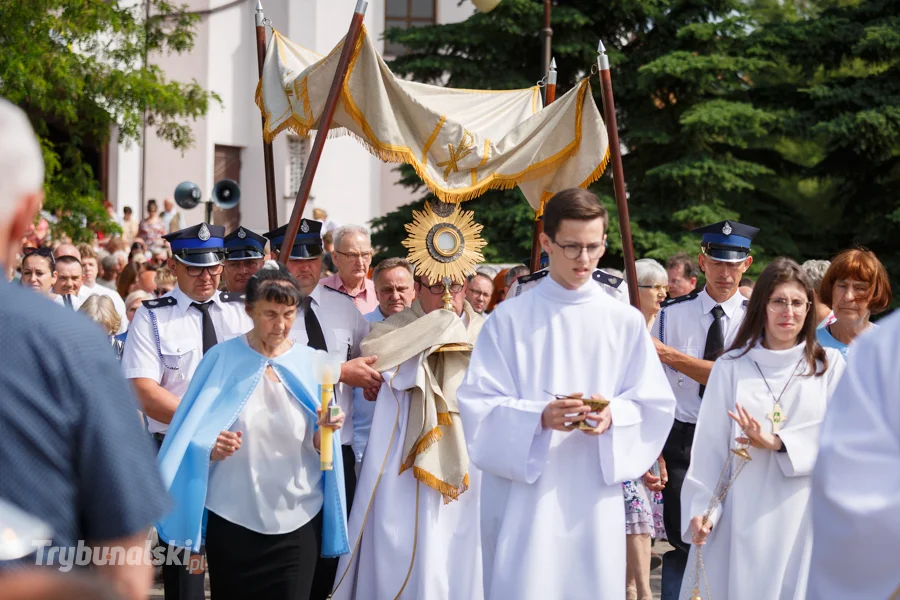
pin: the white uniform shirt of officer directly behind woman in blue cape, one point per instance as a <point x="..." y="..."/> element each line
<point x="344" y="328"/>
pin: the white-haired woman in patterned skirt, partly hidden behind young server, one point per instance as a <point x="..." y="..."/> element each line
<point x="643" y="499"/>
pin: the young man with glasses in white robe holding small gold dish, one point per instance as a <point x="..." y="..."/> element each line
<point x="563" y="400"/>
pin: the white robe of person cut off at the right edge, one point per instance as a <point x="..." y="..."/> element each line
<point x="856" y="481"/>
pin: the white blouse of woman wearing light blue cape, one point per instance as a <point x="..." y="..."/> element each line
<point x="272" y="484"/>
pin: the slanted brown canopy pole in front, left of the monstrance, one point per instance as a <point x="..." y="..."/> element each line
<point x="334" y="93"/>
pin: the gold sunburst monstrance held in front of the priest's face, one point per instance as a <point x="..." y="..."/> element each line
<point x="444" y="245"/>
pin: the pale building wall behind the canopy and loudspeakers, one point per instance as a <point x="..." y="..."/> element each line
<point x="350" y="184"/>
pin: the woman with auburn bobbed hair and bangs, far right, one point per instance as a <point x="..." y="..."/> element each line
<point x="856" y="286"/>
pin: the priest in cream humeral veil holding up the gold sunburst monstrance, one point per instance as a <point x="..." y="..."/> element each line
<point x="414" y="527"/>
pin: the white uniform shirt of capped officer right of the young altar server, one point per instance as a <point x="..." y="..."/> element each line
<point x="683" y="325"/>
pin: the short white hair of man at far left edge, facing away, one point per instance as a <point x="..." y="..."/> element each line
<point x="21" y="161"/>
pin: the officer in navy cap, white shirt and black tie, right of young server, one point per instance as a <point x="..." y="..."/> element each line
<point x="690" y="333"/>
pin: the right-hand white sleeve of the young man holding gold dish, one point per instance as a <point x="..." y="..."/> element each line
<point x="643" y="410"/>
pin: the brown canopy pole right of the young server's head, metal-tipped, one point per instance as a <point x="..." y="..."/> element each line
<point x="609" y="111"/>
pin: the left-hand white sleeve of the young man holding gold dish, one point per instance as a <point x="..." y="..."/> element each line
<point x="503" y="433"/>
